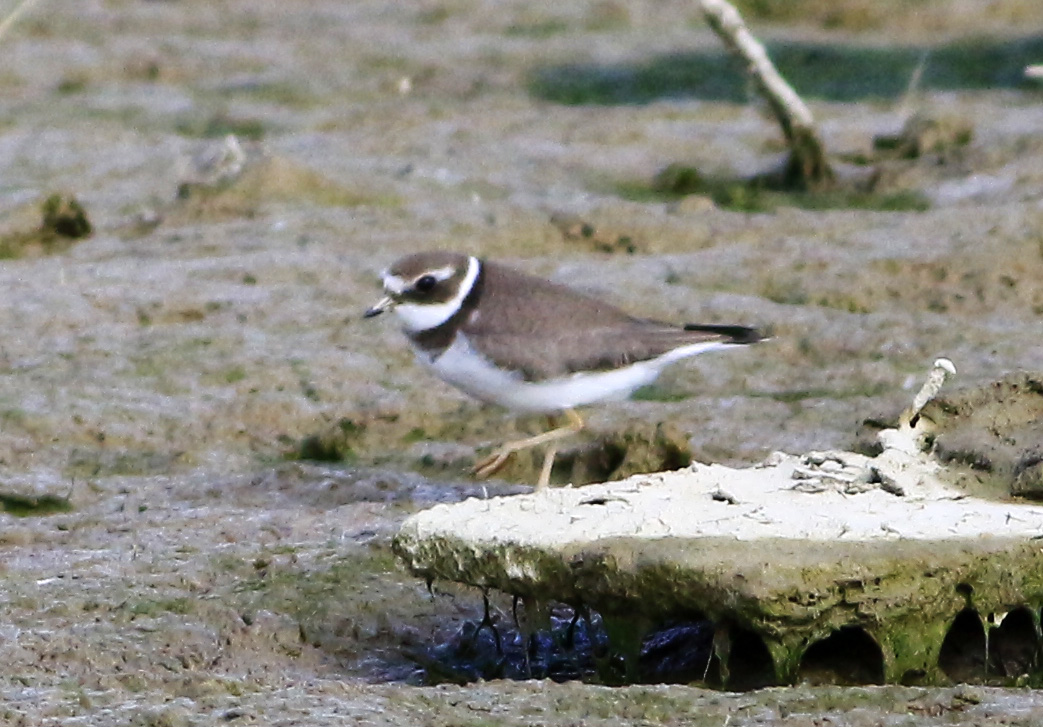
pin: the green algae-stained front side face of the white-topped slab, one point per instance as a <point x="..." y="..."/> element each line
<point x="905" y="595"/>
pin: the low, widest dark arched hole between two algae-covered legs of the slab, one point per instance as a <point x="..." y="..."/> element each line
<point x="848" y="657"/>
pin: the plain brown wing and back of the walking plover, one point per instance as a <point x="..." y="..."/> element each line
<point x="543" y="330"/>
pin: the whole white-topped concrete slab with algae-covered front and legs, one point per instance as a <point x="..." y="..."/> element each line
<point x="797" y="552"/>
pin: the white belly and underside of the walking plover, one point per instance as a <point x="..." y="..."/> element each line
<point x="473" y="374"/>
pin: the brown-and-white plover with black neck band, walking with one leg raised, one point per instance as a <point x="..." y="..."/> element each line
<point x="532" y="346"/>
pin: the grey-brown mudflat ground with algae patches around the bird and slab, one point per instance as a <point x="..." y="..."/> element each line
<point x="164" y="559"/>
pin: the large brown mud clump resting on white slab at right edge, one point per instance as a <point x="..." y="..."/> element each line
<point x="991" y="438"/>
